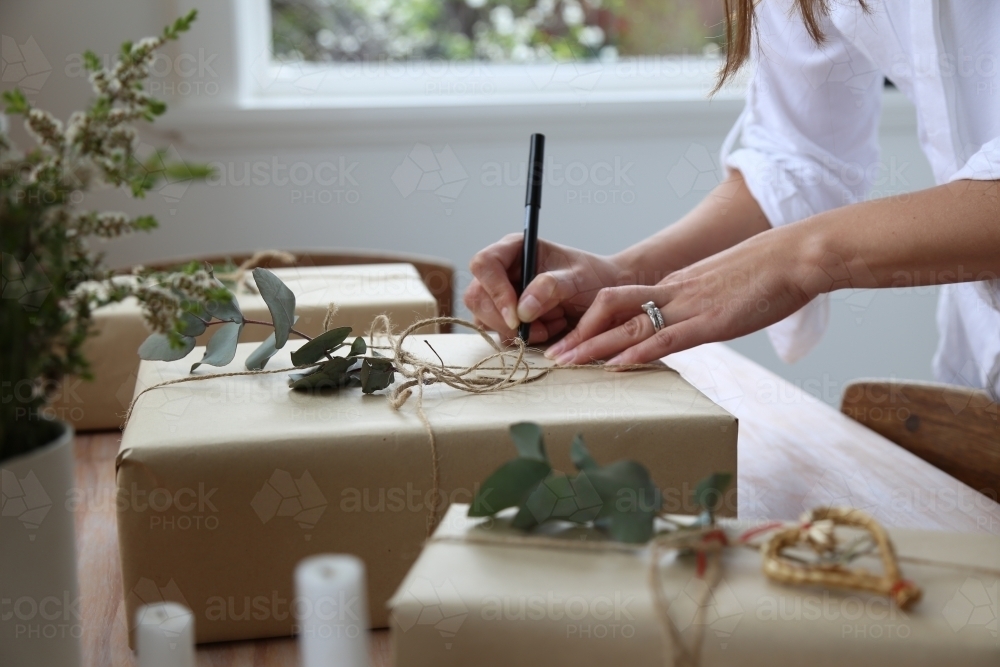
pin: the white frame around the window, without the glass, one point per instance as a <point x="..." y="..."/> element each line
<point x="267" y="84"/>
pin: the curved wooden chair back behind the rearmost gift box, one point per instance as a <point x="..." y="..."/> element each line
<point x="437" y="274"/>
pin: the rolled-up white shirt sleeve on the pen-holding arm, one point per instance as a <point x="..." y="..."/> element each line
<point x="807" y="140"/>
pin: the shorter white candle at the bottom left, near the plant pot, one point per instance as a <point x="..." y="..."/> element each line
<point x="165" y="635"/>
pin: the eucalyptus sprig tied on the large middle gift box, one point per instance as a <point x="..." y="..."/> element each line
<point x="322" y="370"/>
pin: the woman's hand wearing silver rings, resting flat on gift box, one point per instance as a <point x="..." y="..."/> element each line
<point x="735" y="292"/>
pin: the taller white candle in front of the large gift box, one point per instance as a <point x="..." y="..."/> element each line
<point x="332" y="611"/>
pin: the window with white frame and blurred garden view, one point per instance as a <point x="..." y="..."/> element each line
<point x="482" y="53"/>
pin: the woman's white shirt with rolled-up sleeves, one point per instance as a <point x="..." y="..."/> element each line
<point x="809" y="137"/>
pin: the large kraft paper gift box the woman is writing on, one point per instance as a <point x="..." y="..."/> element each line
<point x="225" y="484"/>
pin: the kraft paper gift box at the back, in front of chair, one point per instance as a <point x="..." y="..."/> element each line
<point x="361" y="292"/>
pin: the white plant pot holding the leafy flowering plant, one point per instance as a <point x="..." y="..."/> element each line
<point x="40" y="623"/>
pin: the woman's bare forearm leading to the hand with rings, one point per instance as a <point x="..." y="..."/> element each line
<point x="945" y="234"/>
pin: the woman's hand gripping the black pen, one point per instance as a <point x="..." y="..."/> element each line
<point x="567" y="282"/>
